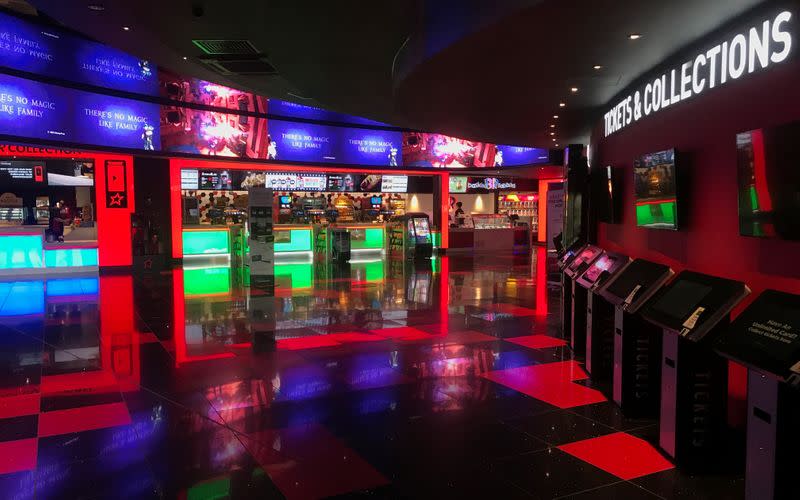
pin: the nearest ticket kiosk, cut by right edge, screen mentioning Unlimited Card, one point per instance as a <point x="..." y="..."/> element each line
<point x="766" y="339"/>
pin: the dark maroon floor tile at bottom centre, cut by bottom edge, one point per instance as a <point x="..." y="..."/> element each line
<point x="308" y="462"/>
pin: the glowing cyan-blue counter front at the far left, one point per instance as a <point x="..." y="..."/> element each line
<point x="23" y="250"/>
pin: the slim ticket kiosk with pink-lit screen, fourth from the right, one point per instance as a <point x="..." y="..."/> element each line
<point x="600" y="314"/>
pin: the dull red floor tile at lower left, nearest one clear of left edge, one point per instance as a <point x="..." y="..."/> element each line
<point x="82" y="419"/>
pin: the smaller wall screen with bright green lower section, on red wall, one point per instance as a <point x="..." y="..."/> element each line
<point x="655" y="184"/>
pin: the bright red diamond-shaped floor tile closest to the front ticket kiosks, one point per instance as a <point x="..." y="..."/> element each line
<point x="621" y="454"/>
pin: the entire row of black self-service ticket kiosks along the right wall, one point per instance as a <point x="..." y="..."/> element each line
<point x="663" y="341"/>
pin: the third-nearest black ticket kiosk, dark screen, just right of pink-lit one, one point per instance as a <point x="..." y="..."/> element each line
<point x="637" y="344"/>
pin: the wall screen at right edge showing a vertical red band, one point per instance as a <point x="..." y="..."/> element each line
<point x="769" y="182"/>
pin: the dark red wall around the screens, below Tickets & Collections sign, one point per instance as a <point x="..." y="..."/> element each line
<point x="705" y="128"/>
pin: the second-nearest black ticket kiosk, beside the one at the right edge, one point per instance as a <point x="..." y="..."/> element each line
<point x="693" y="310"/>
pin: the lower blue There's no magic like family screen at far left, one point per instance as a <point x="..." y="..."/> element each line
<point x="43" y="111"/>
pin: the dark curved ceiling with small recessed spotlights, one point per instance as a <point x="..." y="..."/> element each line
<point x="493" y="71"/>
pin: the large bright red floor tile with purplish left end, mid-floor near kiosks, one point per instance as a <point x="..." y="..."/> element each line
<point x="551" y="383"/>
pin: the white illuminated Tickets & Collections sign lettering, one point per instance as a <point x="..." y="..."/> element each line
<point x="766" y="43"/>
